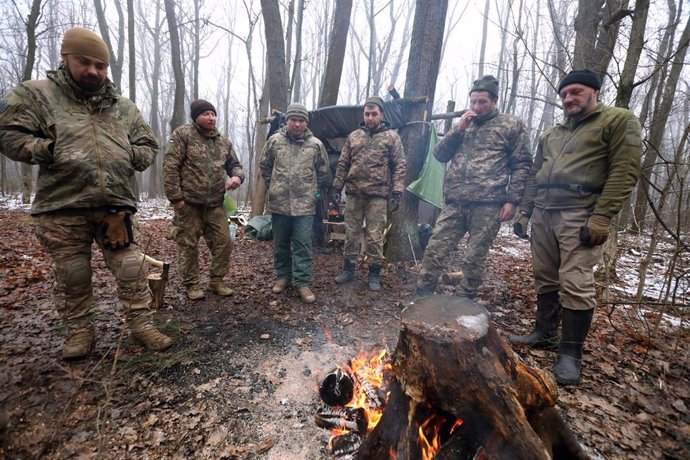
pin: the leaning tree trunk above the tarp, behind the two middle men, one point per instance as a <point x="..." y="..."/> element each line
<point x="330" y="84"/>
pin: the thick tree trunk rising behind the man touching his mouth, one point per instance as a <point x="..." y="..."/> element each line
<point x="422" y="72"/>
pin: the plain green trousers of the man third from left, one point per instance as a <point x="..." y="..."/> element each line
<point x="292" y="250"/>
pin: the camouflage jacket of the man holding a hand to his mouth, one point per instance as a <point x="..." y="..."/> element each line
<point x="490" y="161"/>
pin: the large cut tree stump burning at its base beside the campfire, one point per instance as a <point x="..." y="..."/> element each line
<point x="451" y="364"/>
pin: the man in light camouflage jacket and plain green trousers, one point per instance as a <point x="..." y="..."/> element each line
<point x="294" y="164"/>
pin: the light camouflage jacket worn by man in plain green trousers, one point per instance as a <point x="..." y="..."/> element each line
<point x="293" y="169"/>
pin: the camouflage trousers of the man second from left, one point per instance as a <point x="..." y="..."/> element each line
<point x="191" y="223"/>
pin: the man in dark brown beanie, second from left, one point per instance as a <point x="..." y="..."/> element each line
<point x="197" y="161"/>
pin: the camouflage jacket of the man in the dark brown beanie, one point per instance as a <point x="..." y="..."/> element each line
<point x="196" y="164"/>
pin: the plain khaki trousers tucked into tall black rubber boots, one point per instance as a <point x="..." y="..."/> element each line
<point x="560" y="261"/>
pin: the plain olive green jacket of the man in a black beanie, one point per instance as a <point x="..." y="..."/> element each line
<point x="593" y="163"/>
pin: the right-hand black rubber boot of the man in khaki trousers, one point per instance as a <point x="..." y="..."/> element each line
<point x="567" y="369"/>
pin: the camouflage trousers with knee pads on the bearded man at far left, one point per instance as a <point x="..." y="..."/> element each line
<point x="67" y="237"/>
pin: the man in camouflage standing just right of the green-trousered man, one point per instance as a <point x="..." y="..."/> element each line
<point x="371" y="167"/>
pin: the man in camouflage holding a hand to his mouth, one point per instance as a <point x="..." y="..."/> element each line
<point x="490" y="161"/>
